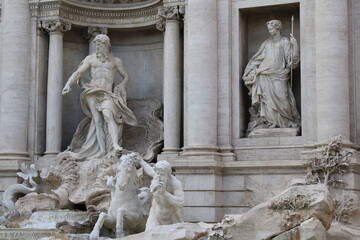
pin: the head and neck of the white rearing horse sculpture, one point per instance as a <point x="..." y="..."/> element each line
<point x="126" y="173"/>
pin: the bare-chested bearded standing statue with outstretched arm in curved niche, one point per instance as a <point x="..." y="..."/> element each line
<point x="99" y="133"/>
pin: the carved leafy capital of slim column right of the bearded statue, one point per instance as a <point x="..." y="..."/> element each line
<point x="169" y="13"/>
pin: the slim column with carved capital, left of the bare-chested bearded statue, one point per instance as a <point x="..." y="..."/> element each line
<point x="56" y="29"/>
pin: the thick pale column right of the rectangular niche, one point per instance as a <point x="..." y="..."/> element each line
<point x="332" y="69"/>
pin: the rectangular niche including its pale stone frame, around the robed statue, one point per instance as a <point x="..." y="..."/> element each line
<point x="249" y="32"/>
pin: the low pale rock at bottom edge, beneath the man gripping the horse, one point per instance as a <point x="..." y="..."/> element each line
<point x="179" y="231"/>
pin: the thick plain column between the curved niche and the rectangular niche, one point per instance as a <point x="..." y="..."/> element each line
<point x="201" y="119"/>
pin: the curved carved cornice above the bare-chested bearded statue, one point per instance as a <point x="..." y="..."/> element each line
<point x="83" y="14"/>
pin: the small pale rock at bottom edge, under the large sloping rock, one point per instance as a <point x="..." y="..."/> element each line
<point x="311" y="229"/>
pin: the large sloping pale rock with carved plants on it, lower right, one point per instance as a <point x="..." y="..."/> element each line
<point x="283" y="212"/>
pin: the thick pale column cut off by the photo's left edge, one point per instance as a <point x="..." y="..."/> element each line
<point x="14" y="84"/>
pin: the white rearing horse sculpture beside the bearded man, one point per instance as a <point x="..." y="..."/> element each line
<point x="127" y="212"/>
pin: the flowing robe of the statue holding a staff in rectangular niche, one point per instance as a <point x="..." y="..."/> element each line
<point x="270" y="90"/>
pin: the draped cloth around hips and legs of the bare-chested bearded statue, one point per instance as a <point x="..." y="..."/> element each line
<point x="85" y="143"/>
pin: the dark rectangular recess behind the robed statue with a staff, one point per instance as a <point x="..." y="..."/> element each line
<point x="252" y="33"/>
